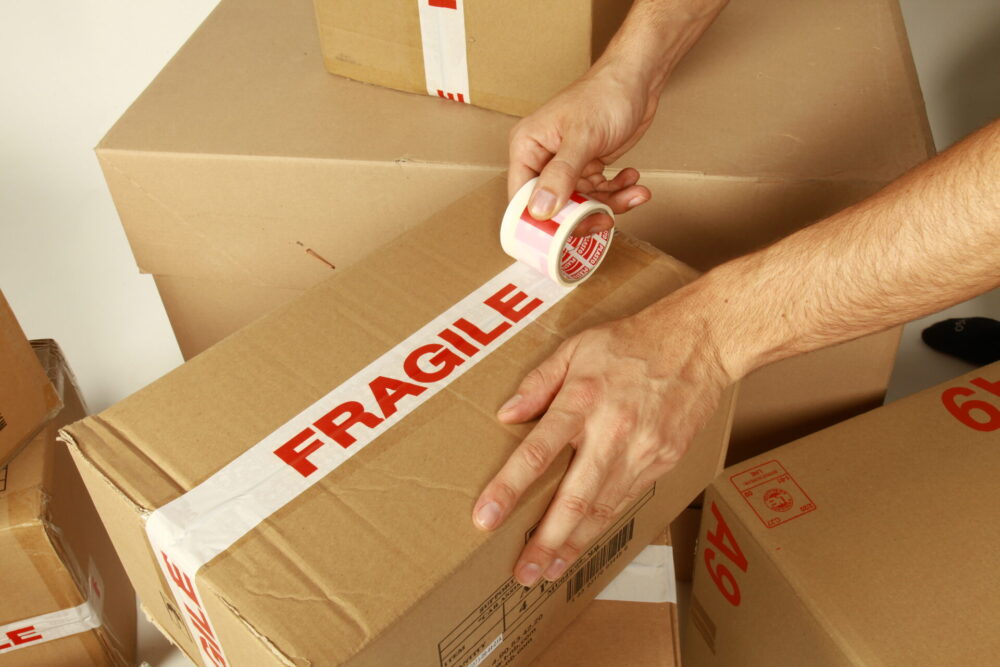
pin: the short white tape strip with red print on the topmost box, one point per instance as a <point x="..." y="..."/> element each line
<point x="442" y="36"/>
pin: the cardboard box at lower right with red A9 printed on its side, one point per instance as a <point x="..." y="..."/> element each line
<point x="870" y="543"/>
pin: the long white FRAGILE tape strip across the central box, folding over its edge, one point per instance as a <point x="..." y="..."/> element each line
<point x="191" y="530"/>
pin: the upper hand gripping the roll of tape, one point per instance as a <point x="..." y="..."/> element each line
<point x="569" y="140"/>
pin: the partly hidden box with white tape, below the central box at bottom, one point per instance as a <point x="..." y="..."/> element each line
<point x="637" y="628"/>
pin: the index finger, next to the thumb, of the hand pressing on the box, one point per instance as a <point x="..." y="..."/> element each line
<point x="526" y="464"/>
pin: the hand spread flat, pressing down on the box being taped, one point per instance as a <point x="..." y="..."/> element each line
<point x="628" y="396"/>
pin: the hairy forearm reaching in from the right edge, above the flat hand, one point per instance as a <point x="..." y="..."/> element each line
<point x="927" y="241"/>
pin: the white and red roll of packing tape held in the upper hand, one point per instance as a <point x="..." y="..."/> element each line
<point x="547" y="245"/>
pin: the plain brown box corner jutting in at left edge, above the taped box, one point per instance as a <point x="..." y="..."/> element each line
<point x="27" y="398"/>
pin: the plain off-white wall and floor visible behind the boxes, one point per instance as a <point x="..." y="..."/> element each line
<point x="69" y="69"/>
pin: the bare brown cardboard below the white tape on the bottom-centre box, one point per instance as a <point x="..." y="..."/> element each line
<point x="611" y="633"/>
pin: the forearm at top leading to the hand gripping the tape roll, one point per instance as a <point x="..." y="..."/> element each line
<point x="655" y="36"/>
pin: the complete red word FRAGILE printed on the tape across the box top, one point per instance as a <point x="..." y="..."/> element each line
<point x="425" y="365"/>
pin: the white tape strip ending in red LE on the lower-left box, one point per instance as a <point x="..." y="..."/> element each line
<point x="57" y="624"/>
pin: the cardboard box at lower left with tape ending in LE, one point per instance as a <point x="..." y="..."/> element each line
<point x="66" y="599"/>
